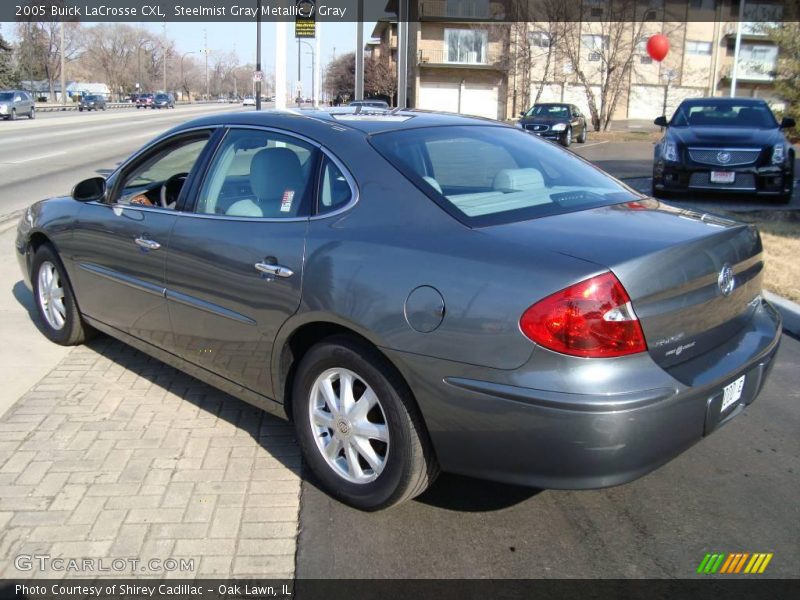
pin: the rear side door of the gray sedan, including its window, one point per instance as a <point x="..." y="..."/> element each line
<point x="235" y="264"/>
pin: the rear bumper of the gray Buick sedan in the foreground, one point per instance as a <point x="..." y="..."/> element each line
<point x="499" y="430"/>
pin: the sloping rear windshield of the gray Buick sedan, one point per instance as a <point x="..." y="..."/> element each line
<point x="485" y="175"/>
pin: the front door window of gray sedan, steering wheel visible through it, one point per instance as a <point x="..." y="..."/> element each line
<point x="157" y="178"/>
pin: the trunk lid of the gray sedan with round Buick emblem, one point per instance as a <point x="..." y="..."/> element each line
<point x="673" y="263"/>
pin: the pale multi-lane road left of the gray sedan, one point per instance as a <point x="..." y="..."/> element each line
<point x="47" y="156"/>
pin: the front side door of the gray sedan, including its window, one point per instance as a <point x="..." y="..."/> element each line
<point x="119" y="244"/>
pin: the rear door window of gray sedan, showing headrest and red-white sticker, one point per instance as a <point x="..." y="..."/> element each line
<point x="259" y="174"/>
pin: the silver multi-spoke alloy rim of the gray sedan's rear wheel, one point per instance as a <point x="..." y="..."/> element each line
<point x="349" y="425"/>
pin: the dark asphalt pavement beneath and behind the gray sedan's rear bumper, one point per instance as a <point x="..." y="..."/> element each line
<point x="737" y="490"/>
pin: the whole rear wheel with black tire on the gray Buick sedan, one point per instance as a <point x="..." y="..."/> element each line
<point x="401" y="467"/>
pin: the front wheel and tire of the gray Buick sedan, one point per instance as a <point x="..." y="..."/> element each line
<point x="61" y="324"/>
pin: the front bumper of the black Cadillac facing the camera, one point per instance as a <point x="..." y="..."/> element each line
<point x="769" y="180"/>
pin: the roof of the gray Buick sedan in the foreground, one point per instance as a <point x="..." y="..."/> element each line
<point x="365" y="121"/>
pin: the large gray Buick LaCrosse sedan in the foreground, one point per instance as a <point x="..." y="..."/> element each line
<point x="417" y="292"/>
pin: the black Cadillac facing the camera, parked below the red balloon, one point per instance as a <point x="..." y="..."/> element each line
<point x="731" y="145"/>
